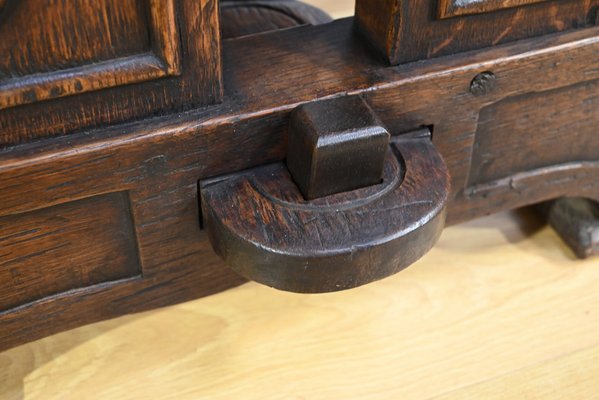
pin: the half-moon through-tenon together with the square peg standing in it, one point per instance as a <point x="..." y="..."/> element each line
<point x="351" y="205"/>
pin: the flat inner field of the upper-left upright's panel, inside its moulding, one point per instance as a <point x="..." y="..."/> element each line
<point x="41" y="36"/>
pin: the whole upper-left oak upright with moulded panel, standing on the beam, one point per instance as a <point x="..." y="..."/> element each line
<point x="133" y="50"/>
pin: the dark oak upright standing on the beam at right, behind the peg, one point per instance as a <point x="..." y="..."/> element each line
<point x="410" y="30"/>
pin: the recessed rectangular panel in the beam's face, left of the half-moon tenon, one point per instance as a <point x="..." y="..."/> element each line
<point x="64" y="247"/>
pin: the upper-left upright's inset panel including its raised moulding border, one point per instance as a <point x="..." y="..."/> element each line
<point x="91" y="46"/>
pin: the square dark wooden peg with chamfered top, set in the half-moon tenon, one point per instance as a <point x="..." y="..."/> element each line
<point x="335" y="146"/>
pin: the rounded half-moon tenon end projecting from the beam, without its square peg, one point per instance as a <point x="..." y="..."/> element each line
<point x="259" y="222"/>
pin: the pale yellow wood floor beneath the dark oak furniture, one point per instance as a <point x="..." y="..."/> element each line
<point x="499" y="309"/>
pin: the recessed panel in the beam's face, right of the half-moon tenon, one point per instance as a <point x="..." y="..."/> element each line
<point x="526" y="133"/>
